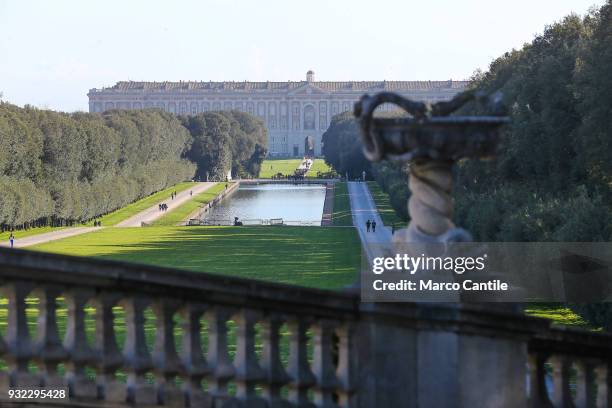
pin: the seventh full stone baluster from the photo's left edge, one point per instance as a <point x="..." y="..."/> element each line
<point x="193" y="359"/>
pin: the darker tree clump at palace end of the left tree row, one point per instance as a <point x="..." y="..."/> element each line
<point x="224" y="141"/>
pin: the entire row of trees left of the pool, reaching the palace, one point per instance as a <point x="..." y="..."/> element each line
<point x="62" y="169"/>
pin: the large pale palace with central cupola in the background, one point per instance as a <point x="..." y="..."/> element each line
<point x="296" y="113"/>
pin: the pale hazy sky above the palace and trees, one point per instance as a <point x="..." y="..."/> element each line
<point x="53" y="52"/>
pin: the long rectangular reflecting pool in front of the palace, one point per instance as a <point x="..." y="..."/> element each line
<point x="257" y="204"/>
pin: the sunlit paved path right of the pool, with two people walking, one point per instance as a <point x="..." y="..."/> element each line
<point x="363" y="209"/>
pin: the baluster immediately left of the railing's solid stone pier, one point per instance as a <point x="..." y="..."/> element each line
<point x="347" y="369"/>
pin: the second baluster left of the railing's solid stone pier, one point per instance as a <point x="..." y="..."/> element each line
<point x="323" y="364"/>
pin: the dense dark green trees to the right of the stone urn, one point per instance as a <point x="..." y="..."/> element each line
<point x="552" y="179"/>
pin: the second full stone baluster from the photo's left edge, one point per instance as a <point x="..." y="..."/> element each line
<point x="48" y="348"/>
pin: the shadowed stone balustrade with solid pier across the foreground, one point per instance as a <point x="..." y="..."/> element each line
<point x="290" y="346"/>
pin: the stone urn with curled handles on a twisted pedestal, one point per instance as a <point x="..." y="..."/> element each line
<point x="431" y="140"/>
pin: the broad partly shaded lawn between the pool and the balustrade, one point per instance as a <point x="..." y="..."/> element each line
<point x="309" y="256"/>
